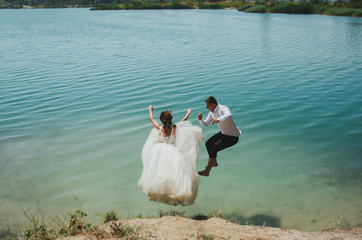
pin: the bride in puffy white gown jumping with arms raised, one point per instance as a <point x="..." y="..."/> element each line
<point x="169" y="159"/>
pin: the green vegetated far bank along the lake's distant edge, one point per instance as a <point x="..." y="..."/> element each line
<point x="339" y="8"/>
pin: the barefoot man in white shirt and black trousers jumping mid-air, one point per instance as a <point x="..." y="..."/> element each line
<point x="227" y="137"/>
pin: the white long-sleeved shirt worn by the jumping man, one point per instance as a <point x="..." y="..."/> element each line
<point x="226" y="122"/>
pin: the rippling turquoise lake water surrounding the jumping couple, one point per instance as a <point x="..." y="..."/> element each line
<point x="75" y="86"/>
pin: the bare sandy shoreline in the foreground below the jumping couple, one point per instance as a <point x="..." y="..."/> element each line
<point x="177" y="227"/>
